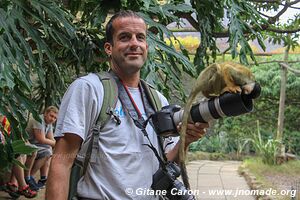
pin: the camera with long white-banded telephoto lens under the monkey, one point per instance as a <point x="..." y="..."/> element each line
<point x="227" y="104"/>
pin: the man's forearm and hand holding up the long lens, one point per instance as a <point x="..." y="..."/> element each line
<point x="194" y="132"/>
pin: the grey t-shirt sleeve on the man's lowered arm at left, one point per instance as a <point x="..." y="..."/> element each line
<point x="80" y="107"/>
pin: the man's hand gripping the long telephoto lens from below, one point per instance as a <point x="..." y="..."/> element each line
<point x="194" y="132"/>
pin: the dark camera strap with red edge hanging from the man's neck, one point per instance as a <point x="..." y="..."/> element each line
<point x="133" y="111"/>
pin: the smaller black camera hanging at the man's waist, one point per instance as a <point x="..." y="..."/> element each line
<point x="165" y="179"/>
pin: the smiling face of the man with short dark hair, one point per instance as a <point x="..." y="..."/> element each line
<point x="129" y="49"/>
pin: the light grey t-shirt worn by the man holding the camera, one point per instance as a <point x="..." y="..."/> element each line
<point x="123" y="160"/>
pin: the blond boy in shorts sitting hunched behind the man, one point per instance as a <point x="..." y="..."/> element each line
<point x="40" y="135"/>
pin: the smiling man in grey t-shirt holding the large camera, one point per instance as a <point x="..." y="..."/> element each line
<point x="123" y="160"/>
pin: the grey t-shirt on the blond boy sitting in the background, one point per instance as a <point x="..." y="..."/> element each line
<point x="34" y="124"/>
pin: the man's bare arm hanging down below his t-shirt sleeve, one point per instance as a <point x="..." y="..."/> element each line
<point x="66" y="149"/>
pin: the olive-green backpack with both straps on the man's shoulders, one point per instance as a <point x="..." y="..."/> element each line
<point x="109" y="102"/>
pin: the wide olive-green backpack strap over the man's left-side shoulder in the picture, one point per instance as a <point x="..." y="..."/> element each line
<point x="110" y="98"/>
